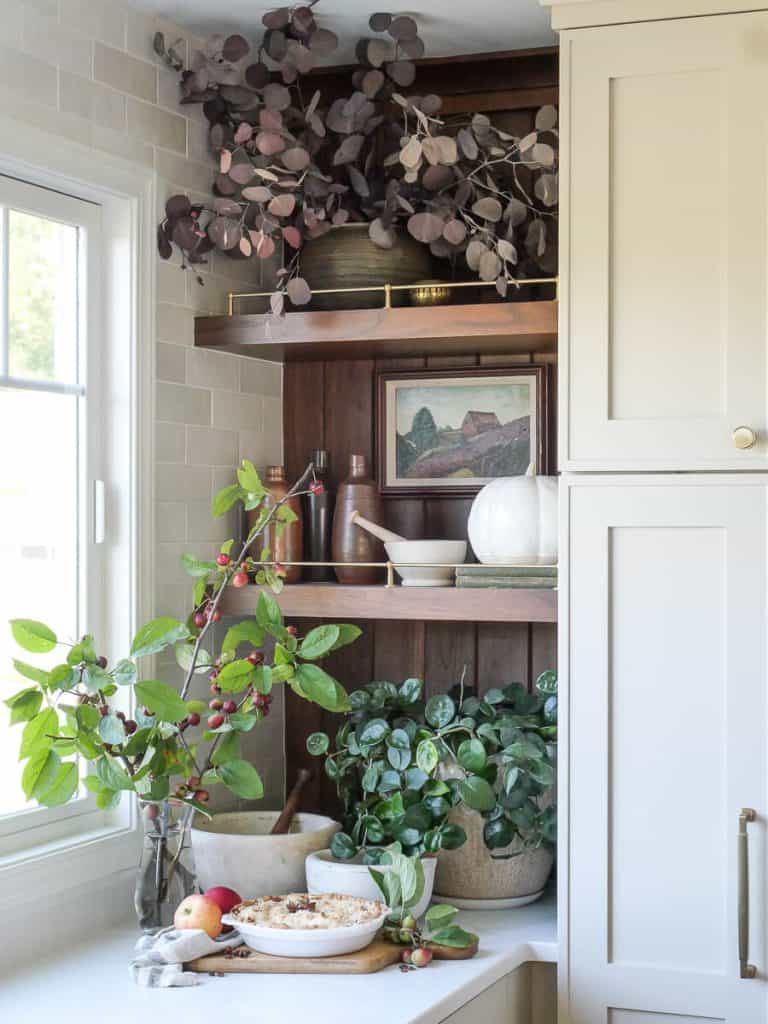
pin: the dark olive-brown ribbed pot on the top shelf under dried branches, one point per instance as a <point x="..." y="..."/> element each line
<point x="346" y="258"/>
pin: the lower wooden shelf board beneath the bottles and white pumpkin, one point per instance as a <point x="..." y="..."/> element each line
<point x="330" y="601"/>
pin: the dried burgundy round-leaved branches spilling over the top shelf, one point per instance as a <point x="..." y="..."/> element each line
<point x="294" y="165"/>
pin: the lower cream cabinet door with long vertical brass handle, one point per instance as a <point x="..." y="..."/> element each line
<point x="665" y="642"/>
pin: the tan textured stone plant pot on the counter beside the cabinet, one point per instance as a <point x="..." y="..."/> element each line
<point x="472" y="874"/>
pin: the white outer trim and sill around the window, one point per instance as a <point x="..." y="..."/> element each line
<point x="46" y="852"/>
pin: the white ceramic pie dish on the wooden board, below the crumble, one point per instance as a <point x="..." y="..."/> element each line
<point x="308" y="942"/>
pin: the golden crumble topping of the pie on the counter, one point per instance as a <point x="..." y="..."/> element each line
<point x="298" y="911"/>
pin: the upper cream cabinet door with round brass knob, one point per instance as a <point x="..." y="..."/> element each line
<point x="665" y="224"/>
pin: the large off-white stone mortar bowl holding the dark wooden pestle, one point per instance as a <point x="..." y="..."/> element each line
<point x="236" y="849"/>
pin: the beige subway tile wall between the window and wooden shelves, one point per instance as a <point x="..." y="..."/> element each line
<point x="87" y="70"/>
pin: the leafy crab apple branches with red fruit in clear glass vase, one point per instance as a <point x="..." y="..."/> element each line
<point x="165" y="747"/>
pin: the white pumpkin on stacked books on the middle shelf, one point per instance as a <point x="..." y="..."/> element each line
<point x="514" y="521"/>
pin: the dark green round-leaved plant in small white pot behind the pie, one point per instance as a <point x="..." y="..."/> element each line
<point x="390" y="791"/>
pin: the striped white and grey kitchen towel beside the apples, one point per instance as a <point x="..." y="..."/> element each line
<point x="159" y="960"/>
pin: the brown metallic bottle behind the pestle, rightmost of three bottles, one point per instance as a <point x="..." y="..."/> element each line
<point x="351" y="544"/>
